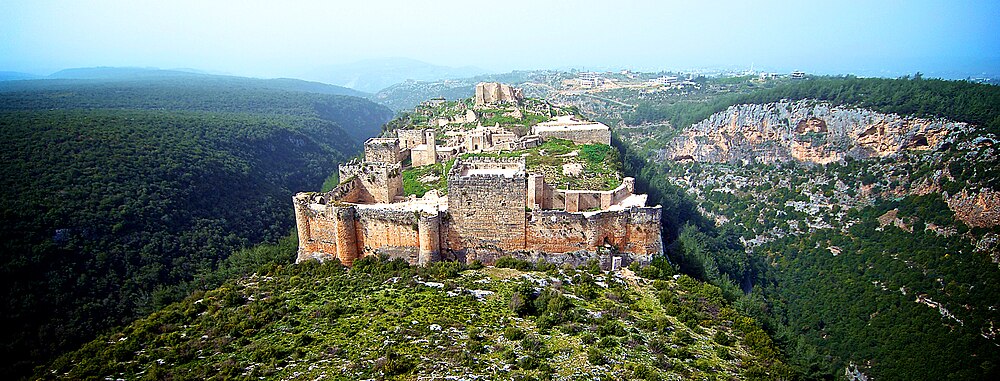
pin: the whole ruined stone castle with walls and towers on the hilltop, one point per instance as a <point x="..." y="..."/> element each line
<point x="493" y="208"/>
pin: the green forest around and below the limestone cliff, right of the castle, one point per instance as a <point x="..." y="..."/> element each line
<point x="876" y="303"/>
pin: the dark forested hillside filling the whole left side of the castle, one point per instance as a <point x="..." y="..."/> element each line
<point x="121" y="196"/>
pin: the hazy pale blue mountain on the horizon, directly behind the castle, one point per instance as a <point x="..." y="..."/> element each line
<point x="374" y="75"/>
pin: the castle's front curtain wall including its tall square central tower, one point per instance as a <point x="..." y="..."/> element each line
<point x="486" y="215"/>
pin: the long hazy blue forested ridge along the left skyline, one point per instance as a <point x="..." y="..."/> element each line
<point x="199" y="92"/>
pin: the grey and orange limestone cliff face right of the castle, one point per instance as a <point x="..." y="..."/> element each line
<point x="806" y="131"/>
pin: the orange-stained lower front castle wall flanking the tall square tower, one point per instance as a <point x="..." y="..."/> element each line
<point x="349" y="232"/>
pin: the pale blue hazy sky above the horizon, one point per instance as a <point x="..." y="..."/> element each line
<point x="287" y="38"/>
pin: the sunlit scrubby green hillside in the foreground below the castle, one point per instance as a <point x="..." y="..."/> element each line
<point x="386" y="320"/>
